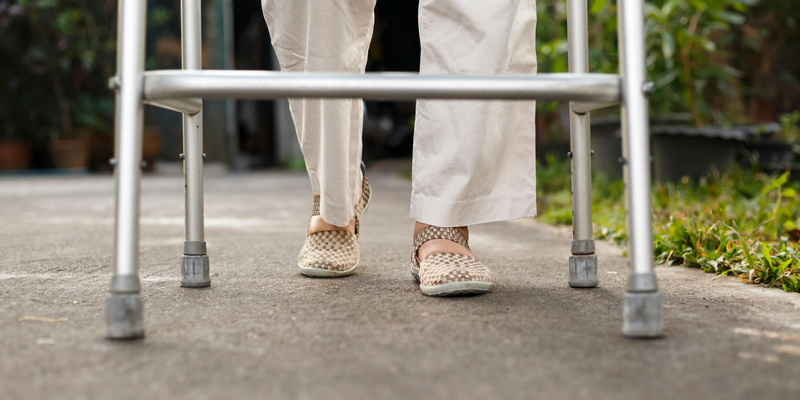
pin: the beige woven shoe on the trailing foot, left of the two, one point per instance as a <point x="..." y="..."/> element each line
<point x="333" y="254"/>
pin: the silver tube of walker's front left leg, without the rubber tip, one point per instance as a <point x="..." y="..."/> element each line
<point x="129" y="124"/>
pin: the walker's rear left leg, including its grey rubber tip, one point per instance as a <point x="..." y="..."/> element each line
<point x="194" y="263"/>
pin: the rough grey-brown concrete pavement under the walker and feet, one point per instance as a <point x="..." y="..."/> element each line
<point x="264" y="331"/>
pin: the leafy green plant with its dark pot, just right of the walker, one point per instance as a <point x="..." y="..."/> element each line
<point x="693" y="72"/>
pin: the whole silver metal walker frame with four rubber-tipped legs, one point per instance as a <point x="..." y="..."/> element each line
<point x="183" y="91"/>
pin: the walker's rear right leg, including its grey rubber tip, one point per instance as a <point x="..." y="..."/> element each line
<point x="583" y="260"/>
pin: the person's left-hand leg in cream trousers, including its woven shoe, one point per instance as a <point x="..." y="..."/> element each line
<point x="327" y="36"/>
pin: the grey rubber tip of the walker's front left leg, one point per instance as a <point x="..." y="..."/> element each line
<point x="124" y="316"/>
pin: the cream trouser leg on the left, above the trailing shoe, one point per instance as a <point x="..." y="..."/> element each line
<point x="326" y="36"/>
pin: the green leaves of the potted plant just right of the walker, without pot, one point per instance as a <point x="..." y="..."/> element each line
<point x="686" y="57"/>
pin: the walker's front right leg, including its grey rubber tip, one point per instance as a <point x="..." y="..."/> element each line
<point x="642" y="308"/>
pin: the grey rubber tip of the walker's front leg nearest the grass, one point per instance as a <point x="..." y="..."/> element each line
<point x="642" y="315"/>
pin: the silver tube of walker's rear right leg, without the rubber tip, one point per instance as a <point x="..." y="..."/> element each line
<point x="580" y="138"/>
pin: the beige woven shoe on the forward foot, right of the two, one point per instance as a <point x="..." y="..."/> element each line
<point x="447" y="274"/>
